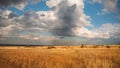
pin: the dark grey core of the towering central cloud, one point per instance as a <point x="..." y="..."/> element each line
<point x="68" y="18"/>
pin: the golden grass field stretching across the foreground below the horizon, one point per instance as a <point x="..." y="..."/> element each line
<point x="60" y="57"/>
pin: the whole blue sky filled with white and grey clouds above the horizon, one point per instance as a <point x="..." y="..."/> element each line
<point x="59" y="22"/>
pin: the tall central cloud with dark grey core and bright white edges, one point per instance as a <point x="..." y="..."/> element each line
<point x="70" y="15"/>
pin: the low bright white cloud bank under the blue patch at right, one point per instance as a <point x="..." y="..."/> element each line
<point x="106" y="31"/>
